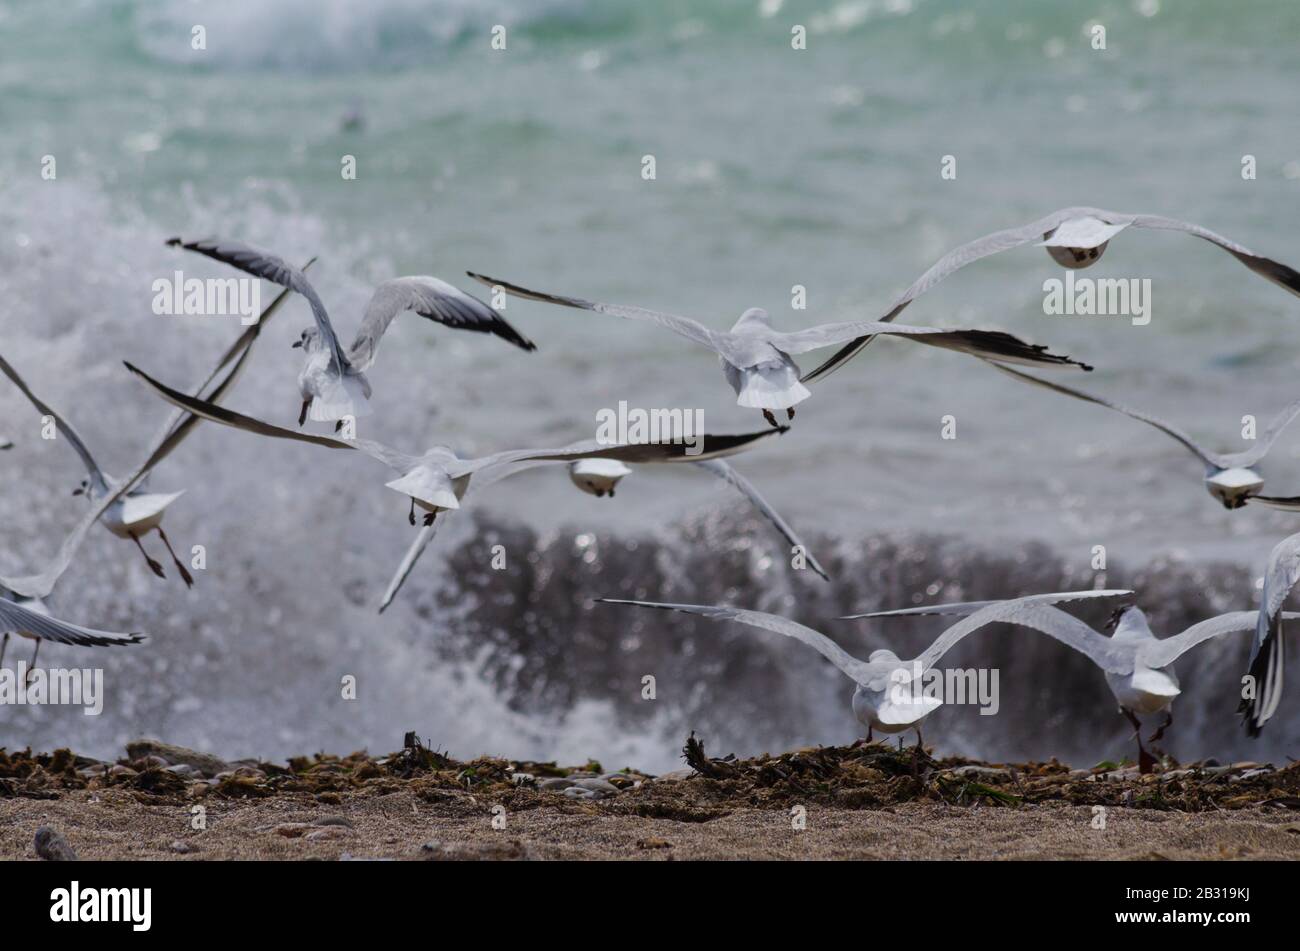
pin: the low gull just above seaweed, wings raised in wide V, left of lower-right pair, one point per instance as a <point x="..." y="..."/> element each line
<point x="882" y="701"/>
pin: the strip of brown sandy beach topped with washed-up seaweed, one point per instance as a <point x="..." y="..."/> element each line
<point x="870" y="802"/>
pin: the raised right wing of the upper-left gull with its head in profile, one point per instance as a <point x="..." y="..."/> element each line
<point x="431" y="298"/>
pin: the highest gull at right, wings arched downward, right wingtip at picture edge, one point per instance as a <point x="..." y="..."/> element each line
<point x="1074" y="238"/>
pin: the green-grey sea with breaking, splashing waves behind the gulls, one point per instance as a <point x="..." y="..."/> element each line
<point x="774" y="168"/>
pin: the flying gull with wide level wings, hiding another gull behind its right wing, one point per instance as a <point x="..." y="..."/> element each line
<point x="437" y="480"/>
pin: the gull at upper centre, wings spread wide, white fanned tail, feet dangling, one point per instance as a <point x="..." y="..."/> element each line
<point x="757" y="359"/>
